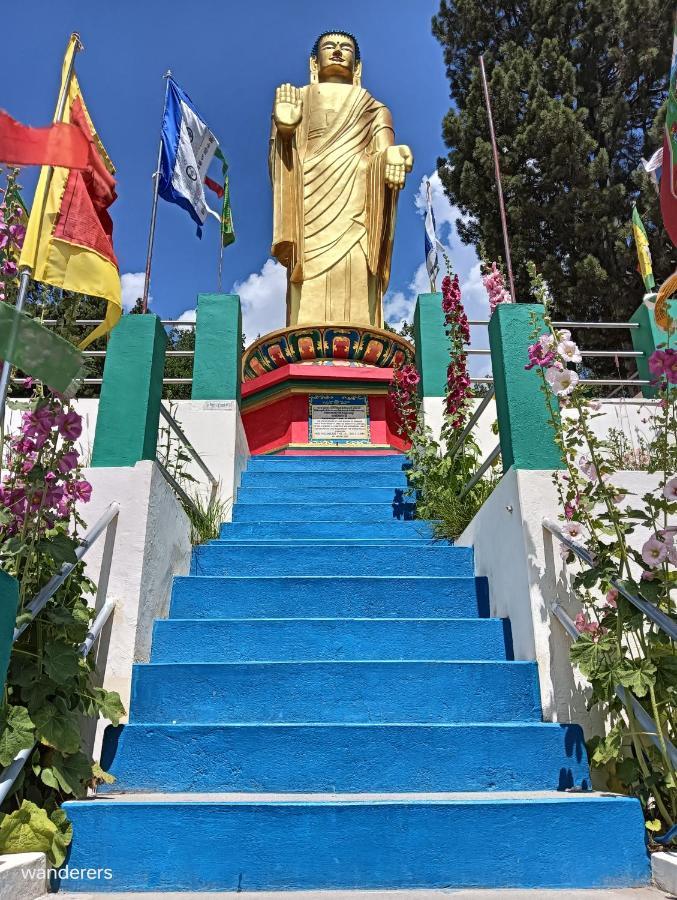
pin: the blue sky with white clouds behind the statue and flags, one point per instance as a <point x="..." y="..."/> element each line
<point x="229" y="57"/>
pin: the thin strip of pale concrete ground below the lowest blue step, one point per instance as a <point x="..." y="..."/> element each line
<point x="611" y="894"/>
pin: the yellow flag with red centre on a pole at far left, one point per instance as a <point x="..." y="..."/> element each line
<point x="69" y="239"/>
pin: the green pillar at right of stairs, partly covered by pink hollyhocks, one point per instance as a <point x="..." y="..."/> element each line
<point x="527" y="438"/>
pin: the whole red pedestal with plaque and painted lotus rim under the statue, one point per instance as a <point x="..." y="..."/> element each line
<point x="322" y="389"/>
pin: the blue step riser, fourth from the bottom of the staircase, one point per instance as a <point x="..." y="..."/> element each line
<point x="237" y="640"/>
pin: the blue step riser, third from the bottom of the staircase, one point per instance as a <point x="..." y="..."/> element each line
<point x="432" y="691"/>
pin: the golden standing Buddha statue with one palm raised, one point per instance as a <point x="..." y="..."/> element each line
<point x="336" y="174"/>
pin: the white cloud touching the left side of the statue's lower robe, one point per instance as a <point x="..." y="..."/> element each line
<point x="263" y="298"/>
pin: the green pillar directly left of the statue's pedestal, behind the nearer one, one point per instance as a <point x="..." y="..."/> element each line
<point x="217" y="367"/>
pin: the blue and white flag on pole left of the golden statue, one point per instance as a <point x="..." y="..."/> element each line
<point x="188" y="147"/>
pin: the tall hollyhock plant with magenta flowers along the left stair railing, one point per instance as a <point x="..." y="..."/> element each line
<point x="51" y="688"/>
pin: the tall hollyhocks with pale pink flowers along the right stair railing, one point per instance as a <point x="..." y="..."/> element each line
<point x="618" y="646"/>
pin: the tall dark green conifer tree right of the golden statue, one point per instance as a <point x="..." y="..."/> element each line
<point x="578" y="93"/>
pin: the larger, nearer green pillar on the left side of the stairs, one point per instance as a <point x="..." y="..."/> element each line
<point x="129" y="407"/>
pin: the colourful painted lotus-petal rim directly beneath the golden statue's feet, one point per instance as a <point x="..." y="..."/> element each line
<point x="317" y="343"/>
